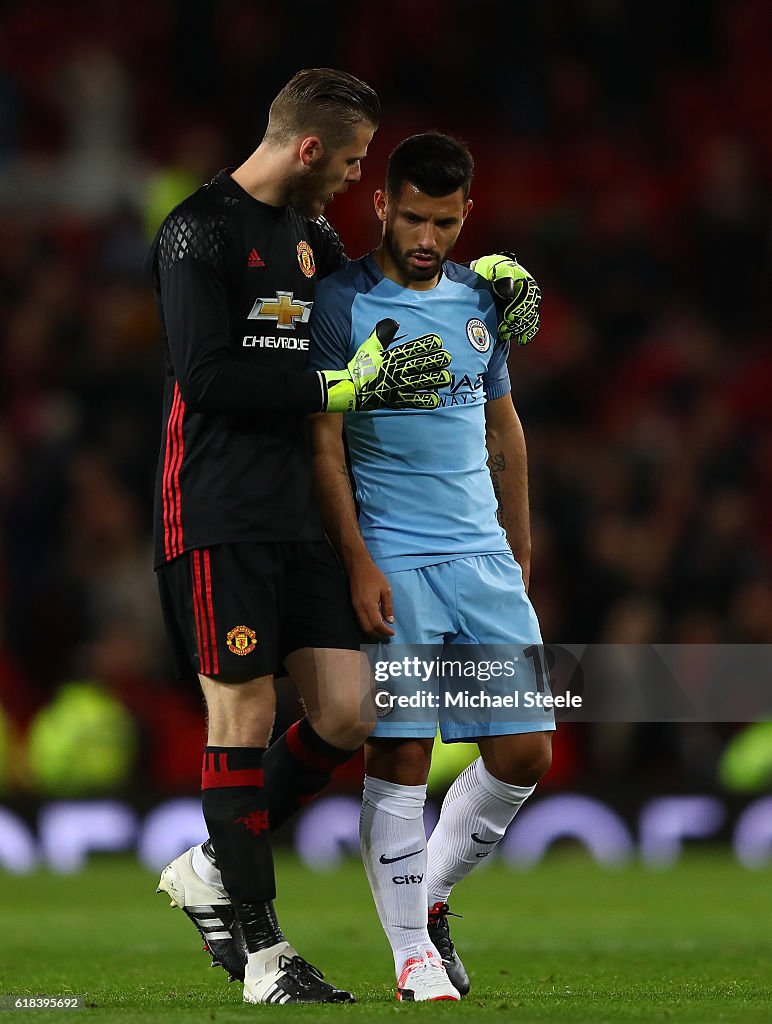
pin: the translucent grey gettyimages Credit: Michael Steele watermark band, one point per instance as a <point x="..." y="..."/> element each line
<point x="535" y="685"/>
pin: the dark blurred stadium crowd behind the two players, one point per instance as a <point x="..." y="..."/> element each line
<point x="622" y="150"/>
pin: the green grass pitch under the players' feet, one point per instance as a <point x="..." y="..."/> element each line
<point x="566" y="943"/>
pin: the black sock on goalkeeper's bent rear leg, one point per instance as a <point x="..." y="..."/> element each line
<point x="297" y="767"/>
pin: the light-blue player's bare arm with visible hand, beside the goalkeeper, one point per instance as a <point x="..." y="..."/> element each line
<point x="371" y="593"/>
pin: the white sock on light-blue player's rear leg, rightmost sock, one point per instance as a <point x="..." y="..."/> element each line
<point x="477" y="805"/>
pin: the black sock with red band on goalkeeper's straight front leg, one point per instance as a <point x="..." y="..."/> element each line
<point x="237" y="816"/>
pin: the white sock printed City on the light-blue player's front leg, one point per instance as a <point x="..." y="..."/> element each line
<point x="394" y="849"/>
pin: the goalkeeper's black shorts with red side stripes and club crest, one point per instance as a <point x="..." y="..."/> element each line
<point x="237" y="611"/>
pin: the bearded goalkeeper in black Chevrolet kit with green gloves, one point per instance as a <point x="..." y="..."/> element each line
<point x="248" y="581"/>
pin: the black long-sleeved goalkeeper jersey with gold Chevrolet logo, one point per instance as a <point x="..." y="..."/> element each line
<point x="235" y="282"/>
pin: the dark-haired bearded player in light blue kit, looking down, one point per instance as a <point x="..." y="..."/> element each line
<point x="428" y="561"/>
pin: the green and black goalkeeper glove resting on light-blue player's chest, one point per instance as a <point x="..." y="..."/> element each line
<point x="406" y="376"/>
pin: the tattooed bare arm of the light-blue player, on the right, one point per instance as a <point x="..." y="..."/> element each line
<point x="508" y="464"/>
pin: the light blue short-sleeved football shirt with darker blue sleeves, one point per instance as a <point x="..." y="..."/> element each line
<point x="422" y="481"/>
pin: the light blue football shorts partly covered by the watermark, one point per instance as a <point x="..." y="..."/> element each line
<point x="466" y="637"/>
